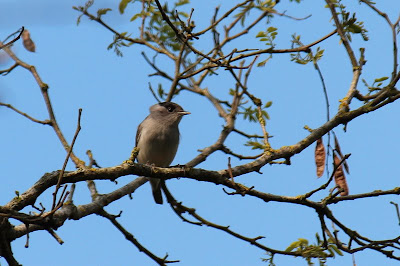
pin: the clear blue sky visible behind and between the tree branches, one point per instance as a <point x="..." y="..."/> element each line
<point x="114" y="95"/>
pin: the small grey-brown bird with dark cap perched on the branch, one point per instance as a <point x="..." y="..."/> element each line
<point x="157" y="138"/>
